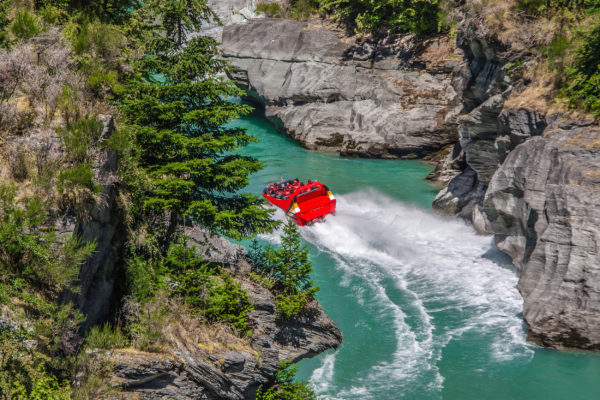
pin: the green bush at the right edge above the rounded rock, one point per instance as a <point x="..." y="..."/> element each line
<point x="583" y="77"/>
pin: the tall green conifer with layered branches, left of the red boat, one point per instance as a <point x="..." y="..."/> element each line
<point x="178" y="107"/>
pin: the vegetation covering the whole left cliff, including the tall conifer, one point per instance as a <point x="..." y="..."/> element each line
<point x="63" y="64"/>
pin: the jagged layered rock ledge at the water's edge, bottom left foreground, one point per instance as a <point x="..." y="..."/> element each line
<point x="193" y="372"/>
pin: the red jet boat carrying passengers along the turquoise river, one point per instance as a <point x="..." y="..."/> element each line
<point x="304" y="203"/>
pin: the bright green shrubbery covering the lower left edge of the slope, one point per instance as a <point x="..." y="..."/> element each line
<point x="36" y="267"/>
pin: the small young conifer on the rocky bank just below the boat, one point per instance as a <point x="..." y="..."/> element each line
<point x="288" y="270"/>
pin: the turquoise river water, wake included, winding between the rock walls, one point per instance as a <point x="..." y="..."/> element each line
<point x="428" y="309"/>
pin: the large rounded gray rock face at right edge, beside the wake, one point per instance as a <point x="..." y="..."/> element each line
<point x="543" y="204"/>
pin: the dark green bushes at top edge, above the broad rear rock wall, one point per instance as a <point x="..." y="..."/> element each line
<point x="396" y="16"/>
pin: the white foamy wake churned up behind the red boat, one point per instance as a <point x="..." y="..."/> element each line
<point x="431" y="259"/>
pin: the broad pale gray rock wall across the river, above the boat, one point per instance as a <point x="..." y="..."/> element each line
<point x="333" y="97"/>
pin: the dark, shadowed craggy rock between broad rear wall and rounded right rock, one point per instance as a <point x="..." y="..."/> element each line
<point x="484" y="87"/>
